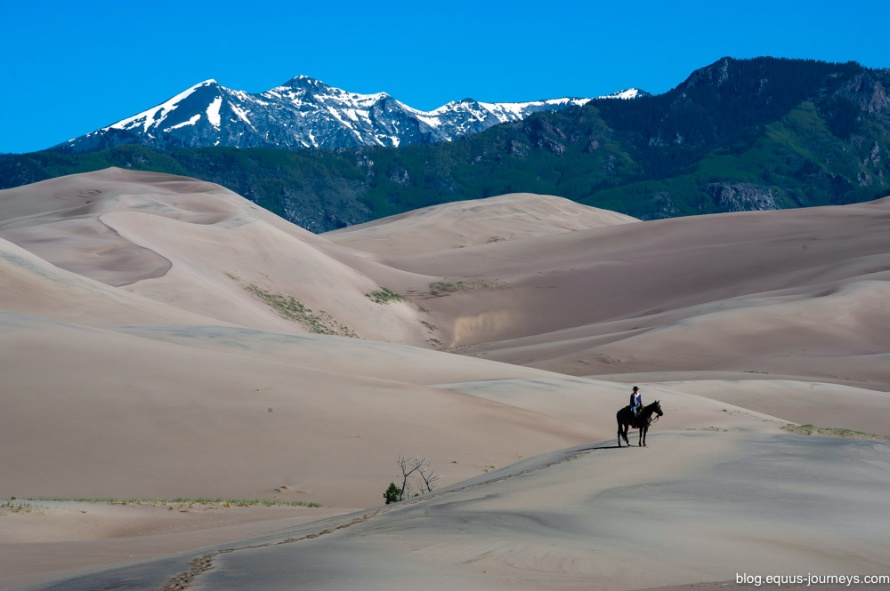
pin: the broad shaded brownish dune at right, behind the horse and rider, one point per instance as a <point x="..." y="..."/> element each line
<point x="791" y="292"/>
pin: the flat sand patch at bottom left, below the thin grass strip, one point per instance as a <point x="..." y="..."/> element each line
<point x="48" y="539"/>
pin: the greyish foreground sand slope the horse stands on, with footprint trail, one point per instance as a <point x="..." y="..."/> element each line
<point x="692" y="507"/>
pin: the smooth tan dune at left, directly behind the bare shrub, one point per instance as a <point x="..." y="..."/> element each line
<point x="146" y="418"/>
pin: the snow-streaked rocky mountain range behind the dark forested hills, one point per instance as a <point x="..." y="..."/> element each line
<point x="304" y="113"/>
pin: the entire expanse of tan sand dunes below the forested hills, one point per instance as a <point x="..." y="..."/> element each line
<point x="160" y="338"/>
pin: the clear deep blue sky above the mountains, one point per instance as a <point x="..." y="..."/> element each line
<point x="68" y="68"/>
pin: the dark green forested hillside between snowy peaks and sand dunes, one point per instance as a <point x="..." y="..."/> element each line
<point x="737" y="135"/>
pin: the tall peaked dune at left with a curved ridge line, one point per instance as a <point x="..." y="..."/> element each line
<point x="199" y="248"/>
